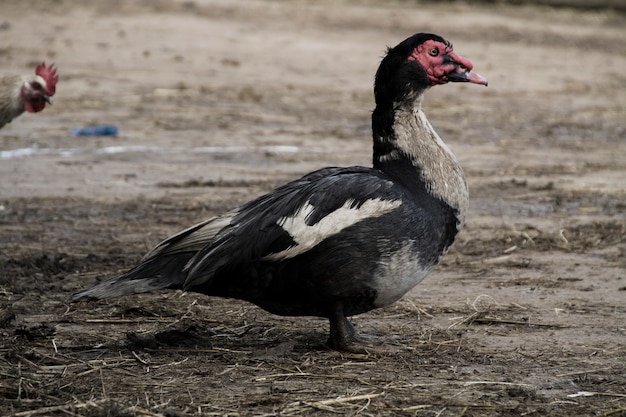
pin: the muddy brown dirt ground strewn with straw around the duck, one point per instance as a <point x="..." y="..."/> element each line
<point x="220" y="101"/>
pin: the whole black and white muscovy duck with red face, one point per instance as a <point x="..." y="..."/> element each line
<point x="339" y="241"/>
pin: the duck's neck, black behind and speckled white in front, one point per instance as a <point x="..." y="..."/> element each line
<point x="407" y="148"/>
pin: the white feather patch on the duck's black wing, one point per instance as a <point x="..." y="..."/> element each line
<point x="306" y="237"/>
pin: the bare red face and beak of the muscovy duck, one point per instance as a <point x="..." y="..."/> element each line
<point x="443" y="65"/>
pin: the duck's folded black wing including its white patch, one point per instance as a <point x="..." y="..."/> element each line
<point x="294" y="218"/>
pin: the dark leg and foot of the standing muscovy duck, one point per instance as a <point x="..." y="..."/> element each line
<point x="343" y="336"/>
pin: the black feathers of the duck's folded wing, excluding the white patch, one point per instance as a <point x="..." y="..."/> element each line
<point x="254" y="232"/>
